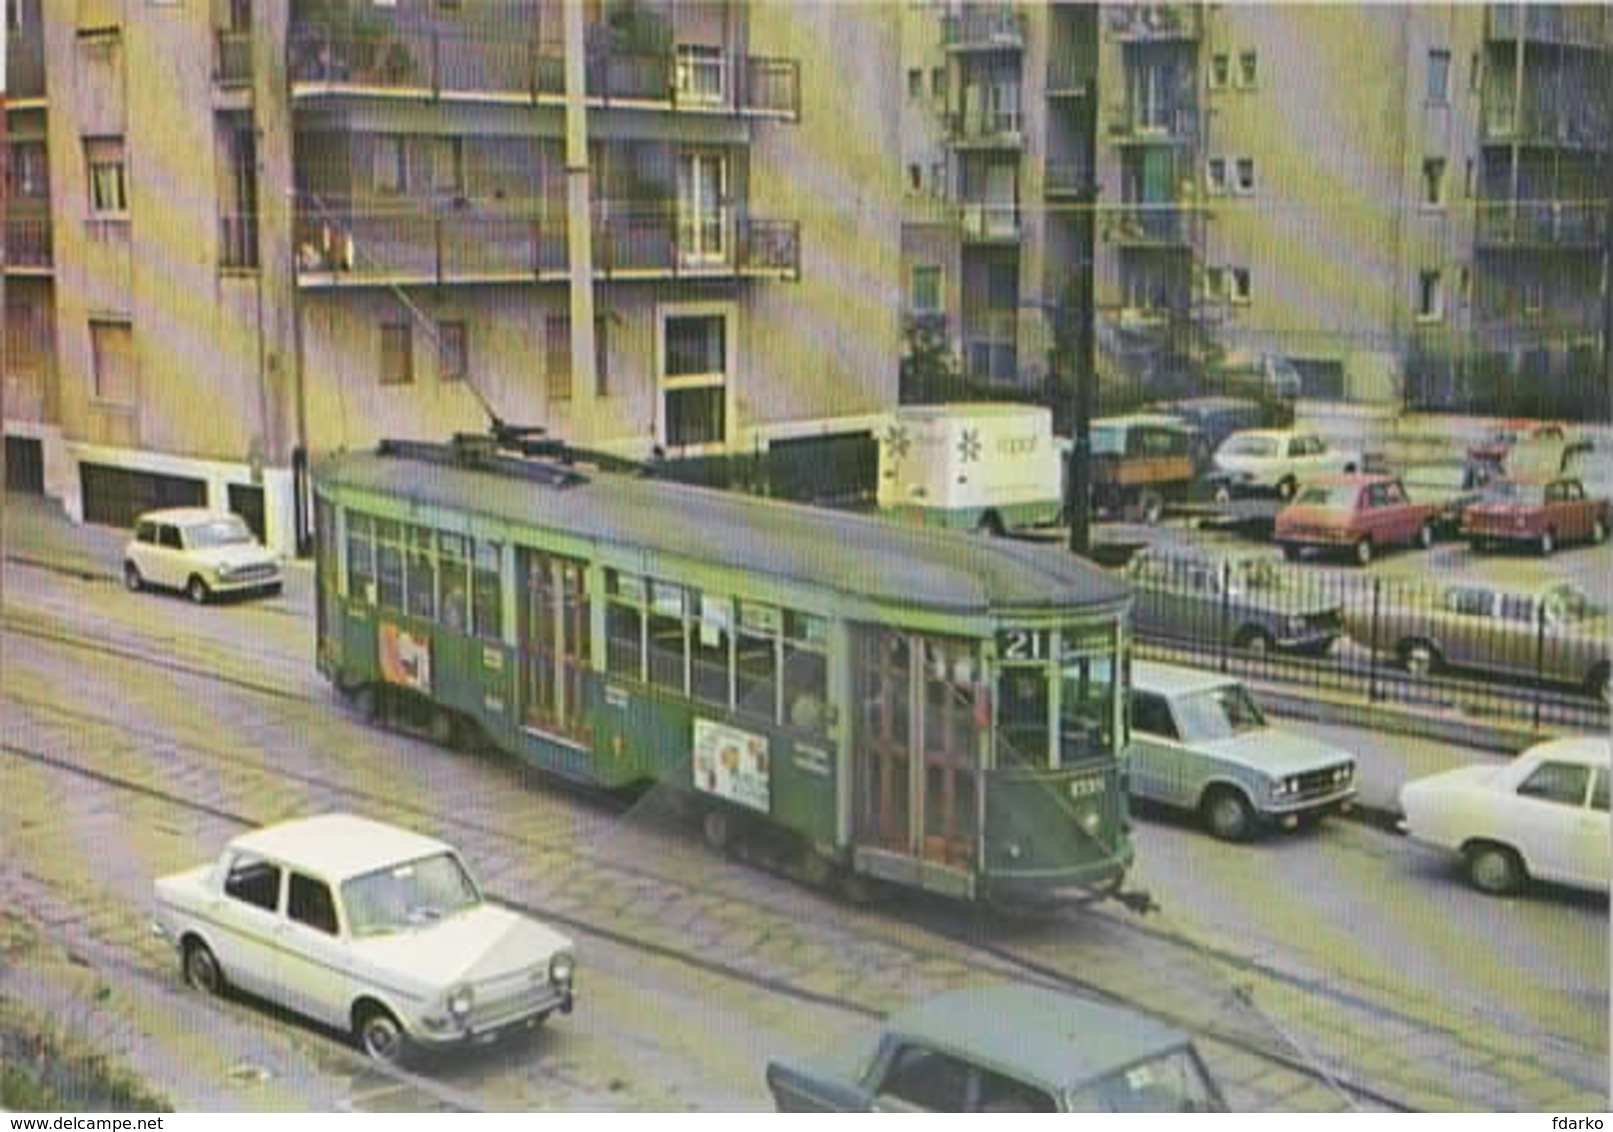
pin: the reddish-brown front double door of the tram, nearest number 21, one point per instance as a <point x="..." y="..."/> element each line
<point x="917" y="747"/>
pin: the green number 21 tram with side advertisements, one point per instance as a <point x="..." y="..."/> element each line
<point x="896" y="705"/>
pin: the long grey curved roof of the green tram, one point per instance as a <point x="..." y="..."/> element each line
<point x="854" y="554"/>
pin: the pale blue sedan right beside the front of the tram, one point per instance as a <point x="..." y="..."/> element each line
<point x="1201" y="744"/>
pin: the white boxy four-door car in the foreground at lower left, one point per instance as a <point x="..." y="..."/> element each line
<point x="367" y="928"/>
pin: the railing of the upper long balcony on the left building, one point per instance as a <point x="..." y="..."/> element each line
<point x="507" y="69"/>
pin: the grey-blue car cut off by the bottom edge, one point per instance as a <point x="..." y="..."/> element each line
<point x="1004" y="1049"/>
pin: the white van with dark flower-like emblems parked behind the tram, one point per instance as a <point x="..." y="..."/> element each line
<point x="985" y="467"/>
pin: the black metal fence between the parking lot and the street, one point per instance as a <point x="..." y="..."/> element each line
<point x="1461" y="649"/>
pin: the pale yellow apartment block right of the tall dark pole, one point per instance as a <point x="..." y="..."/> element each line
<point x="1411" y="202"/>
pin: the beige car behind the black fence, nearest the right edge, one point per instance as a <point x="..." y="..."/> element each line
<point x="1557" y="633"/>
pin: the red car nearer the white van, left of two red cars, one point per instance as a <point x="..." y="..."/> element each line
<point x="1357" y="515"/>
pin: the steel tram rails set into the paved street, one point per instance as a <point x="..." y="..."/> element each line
<point x="986" y="955"/>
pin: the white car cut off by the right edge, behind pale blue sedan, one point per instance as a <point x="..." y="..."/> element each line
<point x="1543" y="817"/>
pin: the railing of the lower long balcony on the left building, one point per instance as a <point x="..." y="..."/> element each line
<point x="631" y="241"/>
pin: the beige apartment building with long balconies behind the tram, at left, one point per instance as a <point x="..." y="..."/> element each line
<point x="248" y="233"/>
